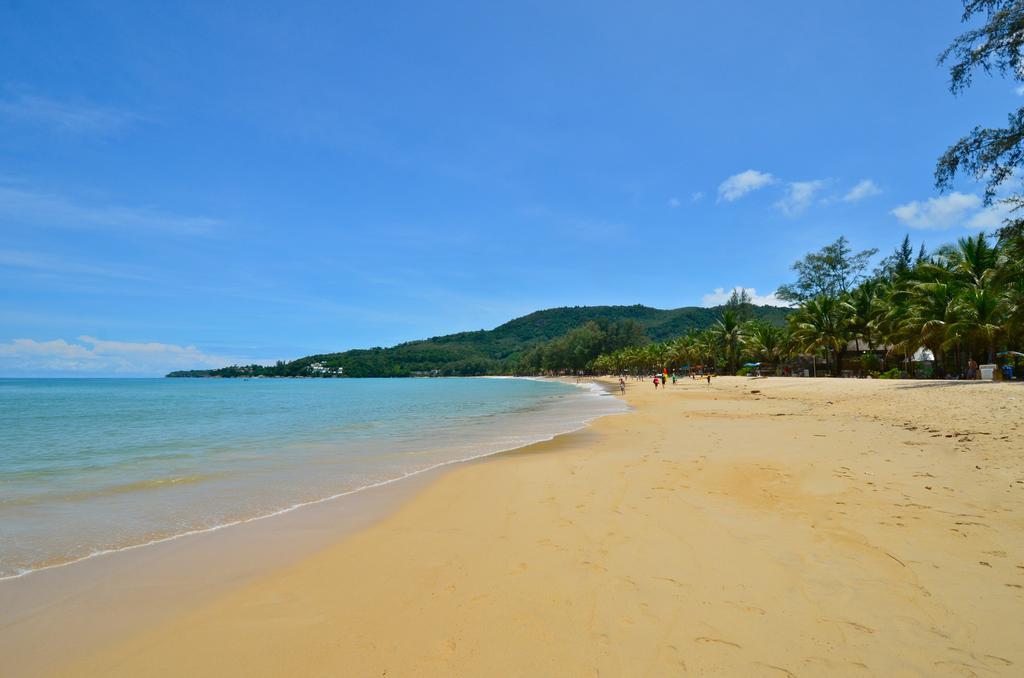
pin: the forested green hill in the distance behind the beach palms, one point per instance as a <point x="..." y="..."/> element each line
<point x="493" y="352"/>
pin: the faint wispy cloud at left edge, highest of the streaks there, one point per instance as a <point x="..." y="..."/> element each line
<point x="73" y="117"/>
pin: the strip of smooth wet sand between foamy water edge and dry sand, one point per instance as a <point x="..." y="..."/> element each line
<point x="30" y="602"/>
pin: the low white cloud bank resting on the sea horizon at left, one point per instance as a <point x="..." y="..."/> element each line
<point x="92" y="356"/>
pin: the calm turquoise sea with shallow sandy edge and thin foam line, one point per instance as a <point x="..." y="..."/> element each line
<point x="90" y="467"/>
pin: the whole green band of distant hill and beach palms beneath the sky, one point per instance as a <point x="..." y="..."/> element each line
<point x="965" y="302"/>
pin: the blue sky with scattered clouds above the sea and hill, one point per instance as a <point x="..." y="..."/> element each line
<point x="184" y="185"/>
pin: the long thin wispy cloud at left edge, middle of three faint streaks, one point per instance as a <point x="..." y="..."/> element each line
<point x="27" y="206"/>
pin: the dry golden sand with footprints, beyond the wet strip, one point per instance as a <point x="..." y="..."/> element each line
<point x="753" y="527"/>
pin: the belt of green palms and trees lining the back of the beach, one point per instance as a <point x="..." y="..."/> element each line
<point x="964" y="302"/>
